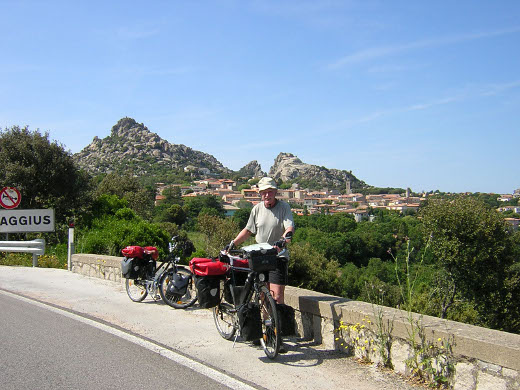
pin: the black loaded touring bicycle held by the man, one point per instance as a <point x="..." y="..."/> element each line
<point x="247" y="307"/>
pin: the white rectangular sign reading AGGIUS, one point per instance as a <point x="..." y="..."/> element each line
<point x="20" y="221"/>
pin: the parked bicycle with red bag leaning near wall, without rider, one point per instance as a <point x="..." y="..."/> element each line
<point x="145" y="275"/>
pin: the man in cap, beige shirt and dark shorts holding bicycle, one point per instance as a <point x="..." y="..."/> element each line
<point x="270" y="220"/>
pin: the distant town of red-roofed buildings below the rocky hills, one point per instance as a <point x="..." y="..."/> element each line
<point x="325" y="201"/>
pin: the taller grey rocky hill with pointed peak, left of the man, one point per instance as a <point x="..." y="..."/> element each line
<point x="131" y="147"/>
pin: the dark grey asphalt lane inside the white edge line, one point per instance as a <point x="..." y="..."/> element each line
<point x="44" y="348"/>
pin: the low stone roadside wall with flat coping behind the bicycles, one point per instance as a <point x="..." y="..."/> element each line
<point x="471" y="357"/>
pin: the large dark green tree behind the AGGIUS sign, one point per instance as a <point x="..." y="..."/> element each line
<point x="44" y="173"/>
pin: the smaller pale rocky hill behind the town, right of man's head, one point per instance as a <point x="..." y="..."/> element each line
<point x="290" y="168"/>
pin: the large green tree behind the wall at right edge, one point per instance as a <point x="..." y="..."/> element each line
<point x="473" y="246"/>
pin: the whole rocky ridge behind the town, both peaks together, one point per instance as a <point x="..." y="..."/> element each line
<point x="132" y="148"/>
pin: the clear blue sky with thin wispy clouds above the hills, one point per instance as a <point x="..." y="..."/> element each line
<point x="419" y="94"/>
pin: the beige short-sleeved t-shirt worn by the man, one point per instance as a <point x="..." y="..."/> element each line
<point x="268" y="225"/>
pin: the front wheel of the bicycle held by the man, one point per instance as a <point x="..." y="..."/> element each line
<point x="270" y="340"/>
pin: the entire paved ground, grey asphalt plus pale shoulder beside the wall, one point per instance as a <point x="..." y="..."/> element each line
<point x="71" y="331"/>
